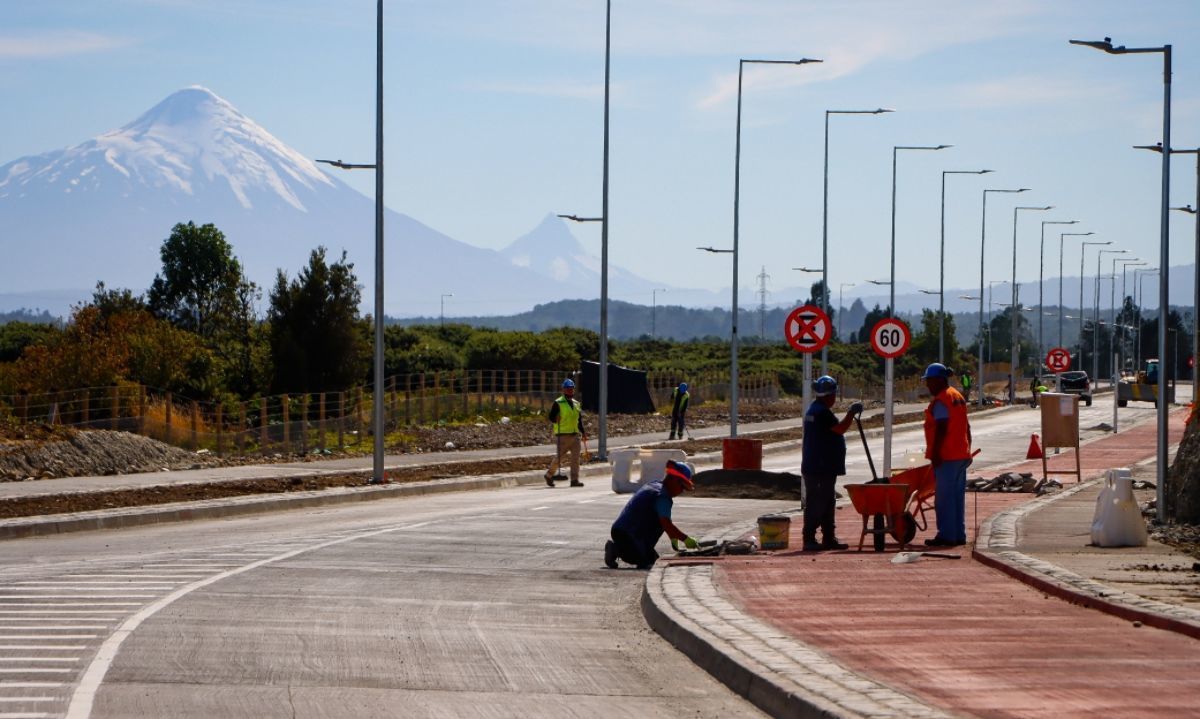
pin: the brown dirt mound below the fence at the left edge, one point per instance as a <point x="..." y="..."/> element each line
<point x="97" y="453"/>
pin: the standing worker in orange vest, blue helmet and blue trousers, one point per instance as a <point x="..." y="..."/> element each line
<point x="949" y="450"/>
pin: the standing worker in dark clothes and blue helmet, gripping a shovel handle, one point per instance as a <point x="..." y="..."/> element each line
<point x="824" y="463"/>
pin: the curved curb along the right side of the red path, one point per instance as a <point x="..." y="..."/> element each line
<point x="997" y="548"/>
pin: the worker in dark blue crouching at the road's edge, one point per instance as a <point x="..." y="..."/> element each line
<point x="646" y="517"/>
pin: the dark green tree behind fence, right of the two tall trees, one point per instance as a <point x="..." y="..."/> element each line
<point x="316" y="339"/>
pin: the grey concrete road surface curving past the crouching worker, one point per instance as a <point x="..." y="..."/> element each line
<point x="473" y="604"/>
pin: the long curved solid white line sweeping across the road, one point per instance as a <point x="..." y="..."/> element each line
<point x="89" y="684"/>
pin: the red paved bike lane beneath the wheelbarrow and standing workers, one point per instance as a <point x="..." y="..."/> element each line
<point x="961" y="636"/>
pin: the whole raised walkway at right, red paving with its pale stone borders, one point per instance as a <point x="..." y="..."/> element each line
<point x="850" y="634"/>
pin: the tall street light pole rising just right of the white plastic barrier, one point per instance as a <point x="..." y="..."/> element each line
<point x="1165" y="249"/>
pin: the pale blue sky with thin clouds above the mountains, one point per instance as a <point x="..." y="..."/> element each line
<point x="494" y="117"/>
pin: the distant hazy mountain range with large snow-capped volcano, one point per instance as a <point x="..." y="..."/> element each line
<point x="100" y="212"/>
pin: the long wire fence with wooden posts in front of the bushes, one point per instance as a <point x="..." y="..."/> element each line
<point x="323" y="422"/>
